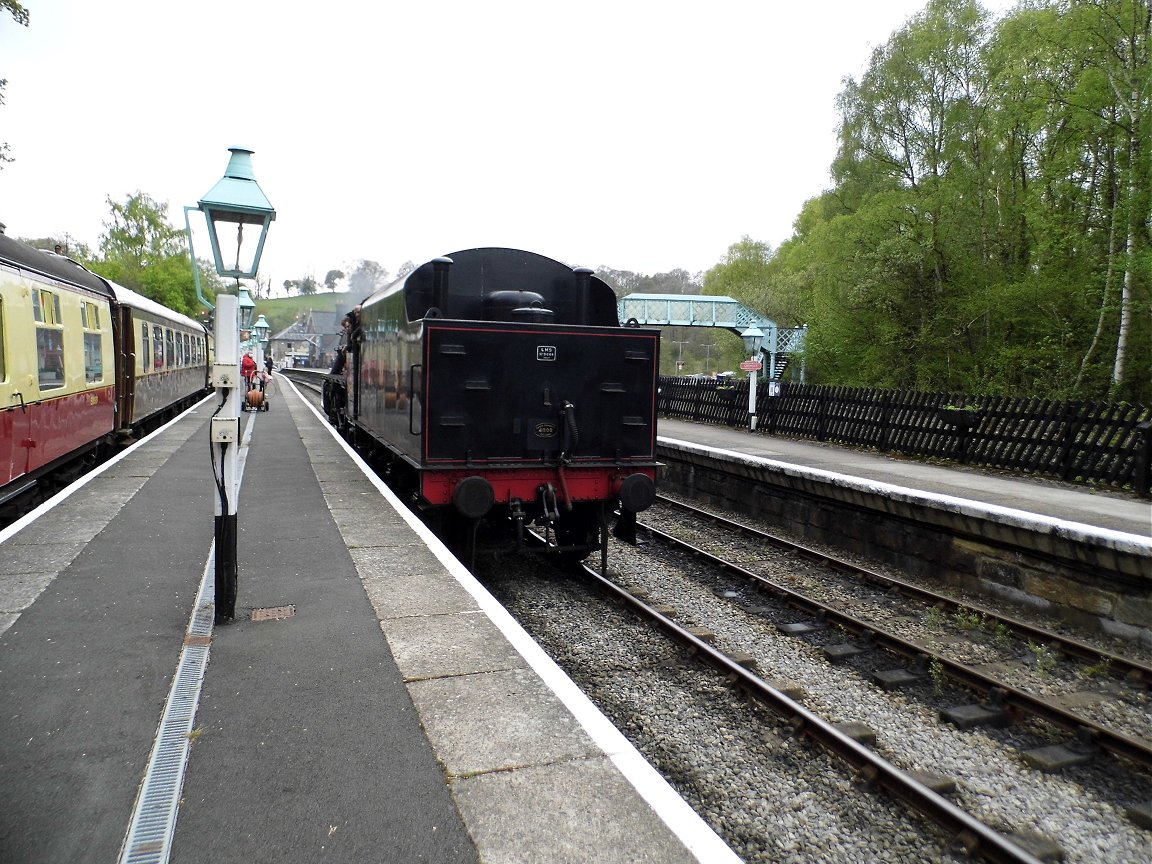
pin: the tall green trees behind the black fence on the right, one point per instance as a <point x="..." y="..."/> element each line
<point x="989" y="231"/>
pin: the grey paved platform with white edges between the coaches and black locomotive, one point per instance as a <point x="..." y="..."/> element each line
<point x="370" y="702"/>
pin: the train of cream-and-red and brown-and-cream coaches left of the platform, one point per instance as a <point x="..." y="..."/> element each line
<point x="85" y="365"/>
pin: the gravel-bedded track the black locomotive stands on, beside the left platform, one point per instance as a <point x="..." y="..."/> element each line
<point x="983" y="802"/>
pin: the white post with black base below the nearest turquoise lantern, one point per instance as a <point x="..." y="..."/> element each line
<point x="225" y="448"/>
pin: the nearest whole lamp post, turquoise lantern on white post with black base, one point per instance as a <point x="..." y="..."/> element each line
<point x="236" y="201"/>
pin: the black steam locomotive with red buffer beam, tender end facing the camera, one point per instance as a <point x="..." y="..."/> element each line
<point x="501" y="383"/>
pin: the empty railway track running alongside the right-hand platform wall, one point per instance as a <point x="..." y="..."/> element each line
<point x="1001" y="701"/>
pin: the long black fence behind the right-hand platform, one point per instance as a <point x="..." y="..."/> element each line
<point x="1092" y="443"/>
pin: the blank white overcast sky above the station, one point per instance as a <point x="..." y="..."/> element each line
<point x="642" y="137"/>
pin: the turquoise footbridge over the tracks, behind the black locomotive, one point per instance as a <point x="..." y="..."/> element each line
<point x="780" y="345"/>
